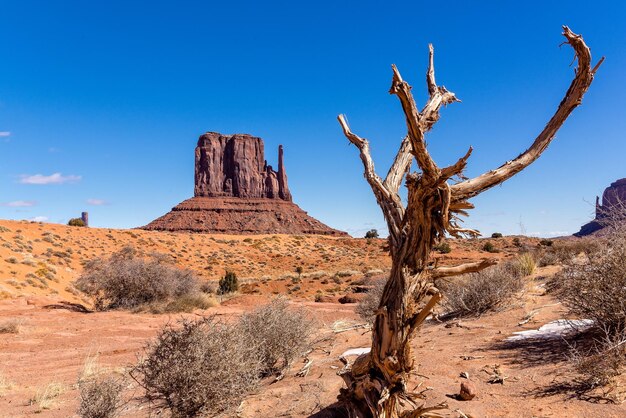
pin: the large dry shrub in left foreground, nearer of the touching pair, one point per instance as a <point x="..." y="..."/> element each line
<point x="201" y="367"/>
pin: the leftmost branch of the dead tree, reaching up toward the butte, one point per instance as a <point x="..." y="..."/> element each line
<point x="389" y="202"/>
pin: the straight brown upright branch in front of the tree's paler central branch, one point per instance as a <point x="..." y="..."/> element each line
<point x="402" y="89"/>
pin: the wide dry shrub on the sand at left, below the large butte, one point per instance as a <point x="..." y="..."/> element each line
<point x="125" y="281"/>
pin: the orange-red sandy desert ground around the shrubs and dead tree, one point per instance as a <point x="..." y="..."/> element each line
<point x="54" y="343"/>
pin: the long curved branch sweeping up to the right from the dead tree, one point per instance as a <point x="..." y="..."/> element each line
<point x="572" y="99"/>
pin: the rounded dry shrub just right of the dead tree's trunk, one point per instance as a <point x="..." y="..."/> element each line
<point x="487" y="290"/>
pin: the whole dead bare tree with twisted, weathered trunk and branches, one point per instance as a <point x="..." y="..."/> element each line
<point x="376" y="382"/>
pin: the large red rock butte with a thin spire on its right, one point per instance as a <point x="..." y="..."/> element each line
<point x="236" y="192"/>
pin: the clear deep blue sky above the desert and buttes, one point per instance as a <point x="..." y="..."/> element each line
<point x="105" y="102"/>
